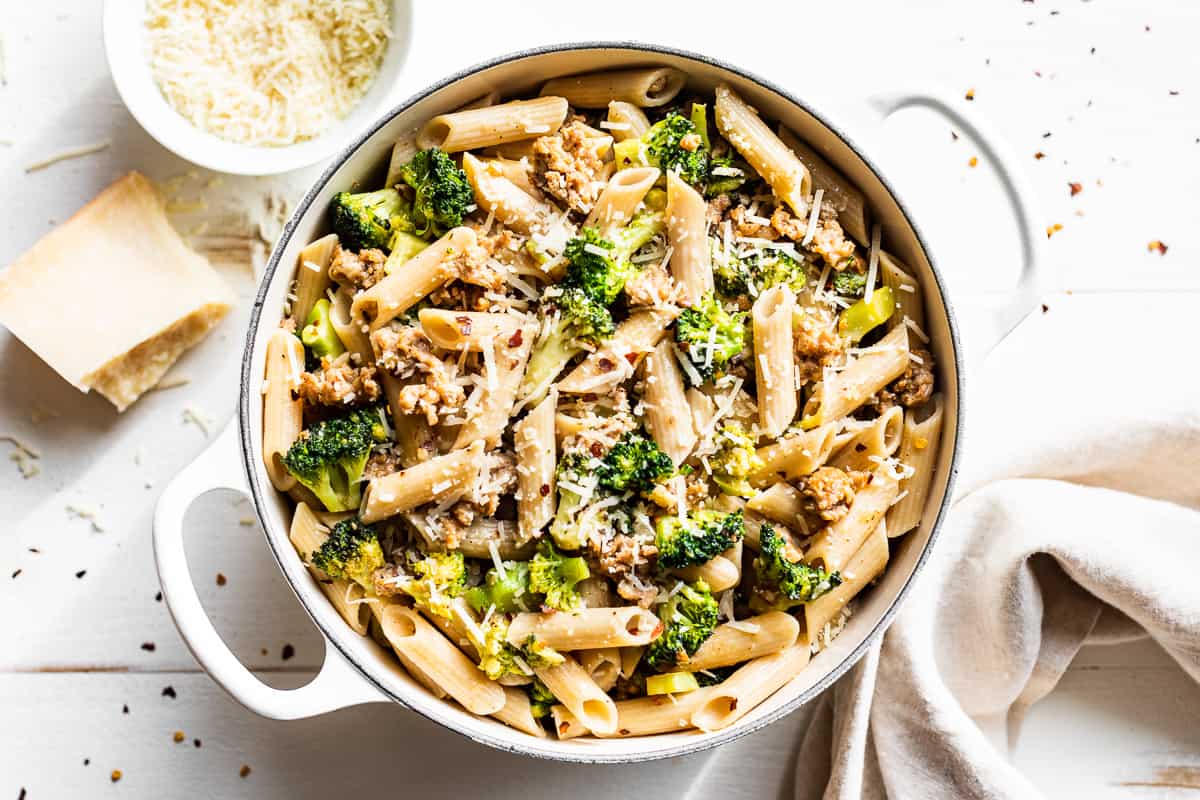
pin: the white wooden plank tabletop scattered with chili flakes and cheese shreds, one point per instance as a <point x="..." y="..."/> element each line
<point x="1107" y="91"/>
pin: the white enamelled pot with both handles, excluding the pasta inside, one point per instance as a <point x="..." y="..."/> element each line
<point x="357" y="670"/>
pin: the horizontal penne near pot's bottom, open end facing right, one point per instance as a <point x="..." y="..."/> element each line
<point x="587" y="628"/>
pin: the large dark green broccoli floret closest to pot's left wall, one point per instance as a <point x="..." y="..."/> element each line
<point x="329" y="458"/>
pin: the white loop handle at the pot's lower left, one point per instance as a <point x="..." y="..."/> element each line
<point x="338" y="685"/>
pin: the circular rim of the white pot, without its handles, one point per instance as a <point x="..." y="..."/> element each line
<point x="247" y="382"/>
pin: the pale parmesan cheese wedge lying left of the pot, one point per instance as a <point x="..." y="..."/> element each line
<point x="113" y="297"/>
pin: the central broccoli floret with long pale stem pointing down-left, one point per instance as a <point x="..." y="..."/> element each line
<point x="579" y="322"/>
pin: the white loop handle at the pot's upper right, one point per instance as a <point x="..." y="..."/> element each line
<point x="991" y="317"/>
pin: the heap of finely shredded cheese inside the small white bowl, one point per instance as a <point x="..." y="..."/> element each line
<point x="266" y="73"/>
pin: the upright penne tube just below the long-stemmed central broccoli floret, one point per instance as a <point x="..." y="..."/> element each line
<point x="537" y="459"/>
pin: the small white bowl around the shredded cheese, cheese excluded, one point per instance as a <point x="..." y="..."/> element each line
<point x="125" y="44"/>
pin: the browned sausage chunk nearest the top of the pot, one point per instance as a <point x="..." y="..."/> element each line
<point x="568" y="167"/>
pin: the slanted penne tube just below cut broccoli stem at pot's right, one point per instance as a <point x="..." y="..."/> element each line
<point x="844" y="392"/>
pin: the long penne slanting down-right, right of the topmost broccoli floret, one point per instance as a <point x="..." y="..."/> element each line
<point x="742" y="127"/>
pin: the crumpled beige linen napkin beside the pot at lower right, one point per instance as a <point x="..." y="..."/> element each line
<point x="1077" y="521"/>
